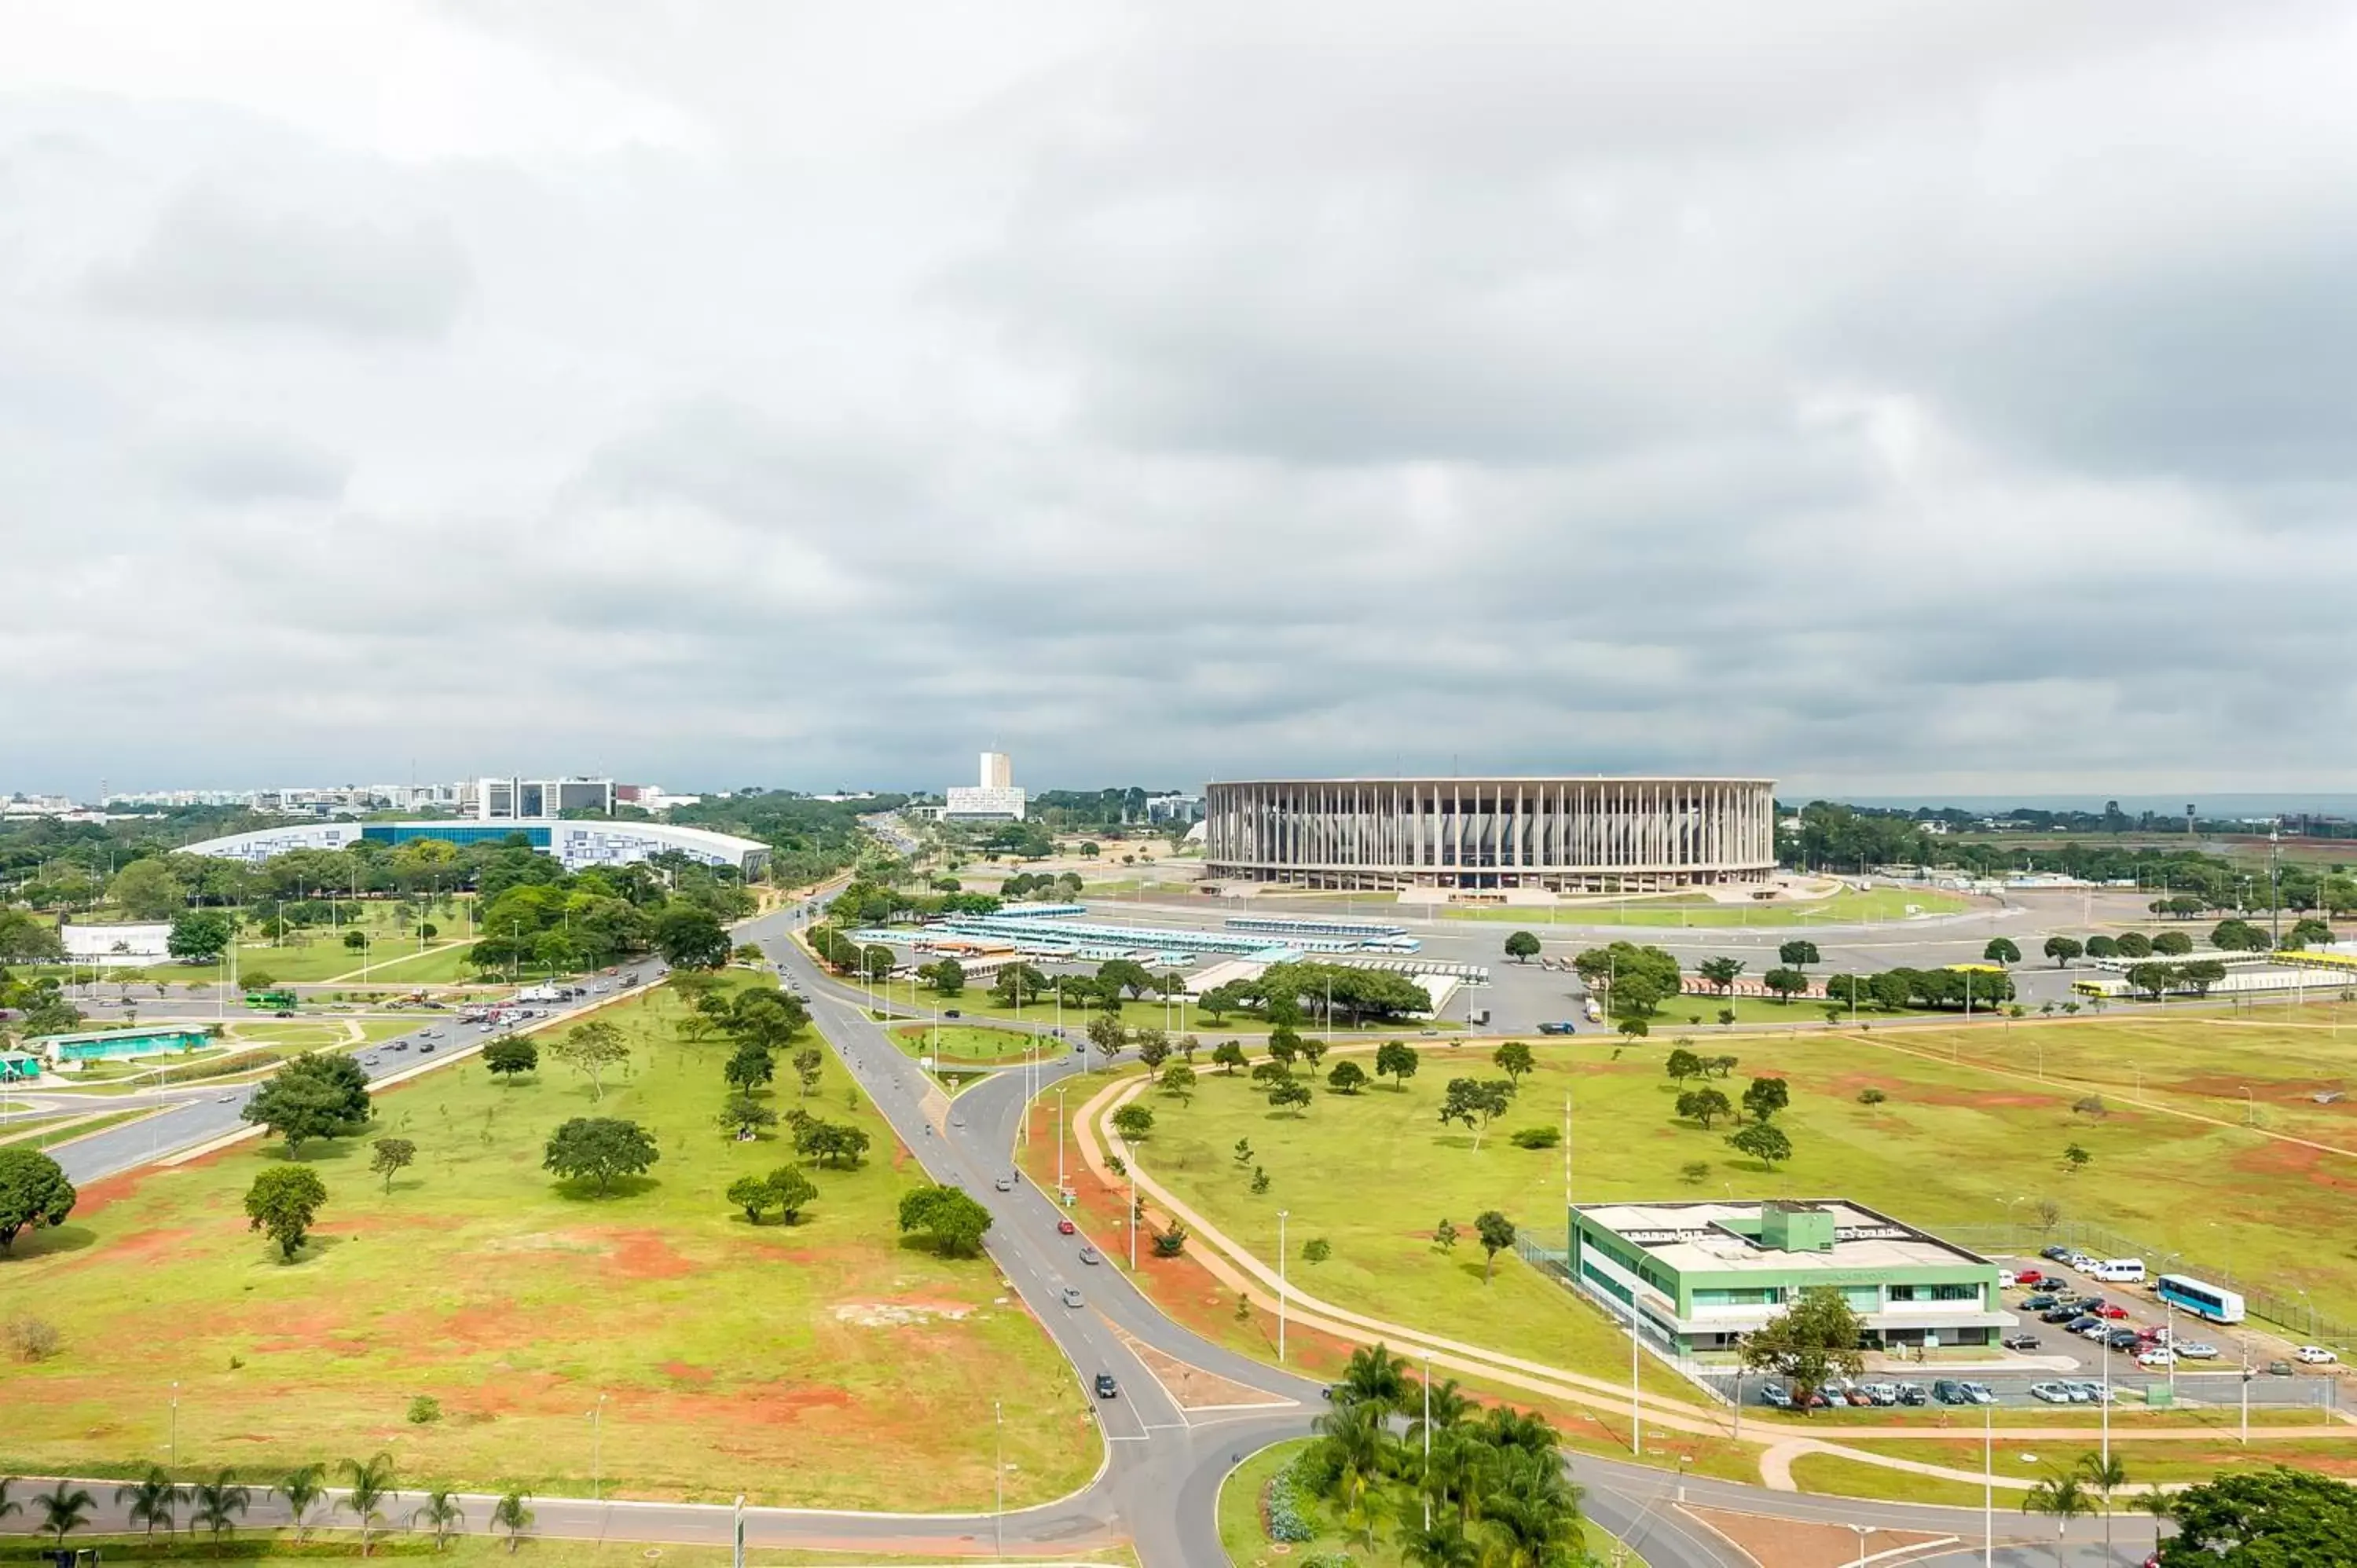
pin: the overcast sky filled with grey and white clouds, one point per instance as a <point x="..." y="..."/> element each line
<point x="1880" y="397"/>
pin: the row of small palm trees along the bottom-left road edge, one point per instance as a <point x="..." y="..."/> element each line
<point x="220" y="1503"/>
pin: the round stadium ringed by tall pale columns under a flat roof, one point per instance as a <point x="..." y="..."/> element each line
<point x="1569" y="836"/>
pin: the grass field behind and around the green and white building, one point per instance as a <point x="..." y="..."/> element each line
<point x="1950" y="1145"/>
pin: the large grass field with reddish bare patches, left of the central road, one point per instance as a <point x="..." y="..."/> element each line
<point x="821" y="1364"/>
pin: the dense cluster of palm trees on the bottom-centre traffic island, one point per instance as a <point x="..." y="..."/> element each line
<point x="1491" y="1482"/>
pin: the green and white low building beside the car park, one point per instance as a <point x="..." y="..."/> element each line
<point x="1703" y="1274"/>
